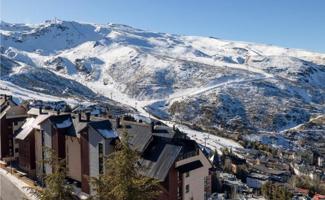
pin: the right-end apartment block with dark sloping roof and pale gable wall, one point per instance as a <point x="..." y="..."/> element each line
<point x="169" y="156"/>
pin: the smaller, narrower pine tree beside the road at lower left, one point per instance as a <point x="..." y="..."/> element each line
<point x="56" y="187"/>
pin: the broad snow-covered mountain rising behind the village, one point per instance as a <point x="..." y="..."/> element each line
<point x="201" y="80"/>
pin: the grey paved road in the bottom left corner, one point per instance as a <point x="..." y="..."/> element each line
<point x="8" y="191"/>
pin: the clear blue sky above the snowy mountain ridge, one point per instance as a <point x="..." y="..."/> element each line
<point x="288" y="23"/>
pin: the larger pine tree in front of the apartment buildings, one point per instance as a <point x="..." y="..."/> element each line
<point x="122" y="180"/>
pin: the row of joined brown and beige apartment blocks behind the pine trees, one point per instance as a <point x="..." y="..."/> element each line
<point x="84" y="141"/>
